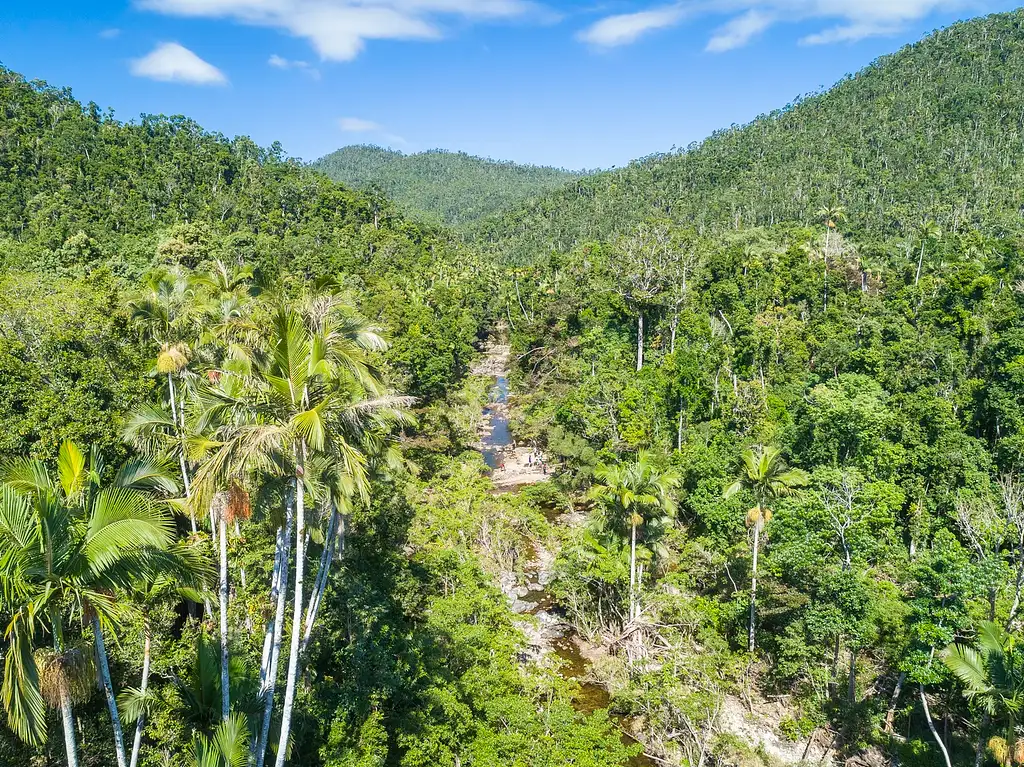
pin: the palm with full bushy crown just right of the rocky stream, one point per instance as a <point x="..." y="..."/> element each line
<point x="632" y="496"/>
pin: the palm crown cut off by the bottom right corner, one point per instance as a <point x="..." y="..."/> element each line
<point x="993" y="673"/>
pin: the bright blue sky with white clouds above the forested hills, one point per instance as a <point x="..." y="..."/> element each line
<point x="584" y="84"/>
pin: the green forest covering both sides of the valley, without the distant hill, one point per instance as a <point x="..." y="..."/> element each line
<point x="780" y="376"/>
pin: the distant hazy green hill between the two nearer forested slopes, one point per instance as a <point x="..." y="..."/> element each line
<point x="443" y="187"/>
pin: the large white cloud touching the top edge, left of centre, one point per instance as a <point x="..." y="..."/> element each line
<point x="338" y="30"/>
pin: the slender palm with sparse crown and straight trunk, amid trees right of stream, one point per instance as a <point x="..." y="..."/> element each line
<point x="767" y="478"/>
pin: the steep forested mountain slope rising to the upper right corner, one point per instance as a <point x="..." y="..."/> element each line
<point x="931" y="132"/>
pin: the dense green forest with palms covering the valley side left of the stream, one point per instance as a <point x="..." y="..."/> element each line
<point x="170" y="292"/>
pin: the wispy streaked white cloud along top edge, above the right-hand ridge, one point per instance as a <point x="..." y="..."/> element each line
<point x="851" y="20"/>
